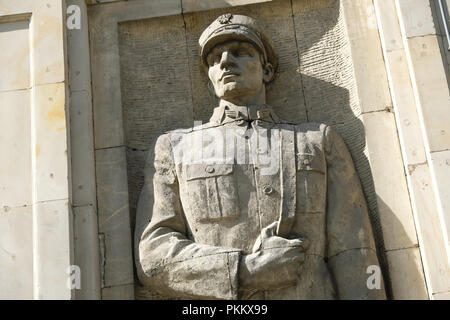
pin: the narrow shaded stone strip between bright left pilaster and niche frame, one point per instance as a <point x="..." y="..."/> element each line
<point x="84" y="201"/>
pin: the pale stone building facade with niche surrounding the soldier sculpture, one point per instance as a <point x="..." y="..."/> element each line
<point x="87" y="86"/>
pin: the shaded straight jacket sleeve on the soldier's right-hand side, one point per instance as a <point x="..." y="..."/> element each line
<point x="351" y="249"/>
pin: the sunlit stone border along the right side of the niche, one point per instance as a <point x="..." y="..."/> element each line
<point x="383" y="149"/>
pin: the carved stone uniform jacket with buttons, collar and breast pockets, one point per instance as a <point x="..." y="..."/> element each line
<point x="206" y="214"/>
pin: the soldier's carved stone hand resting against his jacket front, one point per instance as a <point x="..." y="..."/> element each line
<point x="274" y="262"/>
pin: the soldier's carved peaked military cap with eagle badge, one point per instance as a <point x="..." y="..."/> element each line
<point x="239" y="27"/>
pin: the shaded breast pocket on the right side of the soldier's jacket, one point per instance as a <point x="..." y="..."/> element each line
<point x="311" y="183"/>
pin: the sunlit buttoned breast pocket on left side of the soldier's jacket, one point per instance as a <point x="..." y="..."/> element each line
<point x="212" y="192"/>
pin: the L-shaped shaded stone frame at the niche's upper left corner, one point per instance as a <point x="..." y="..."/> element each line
<point x="104" y="40"/>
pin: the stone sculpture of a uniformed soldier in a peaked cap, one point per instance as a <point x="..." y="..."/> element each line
<point x="249" y="206"/>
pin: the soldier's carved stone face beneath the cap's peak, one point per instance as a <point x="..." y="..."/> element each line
<point x="235" y="70"/>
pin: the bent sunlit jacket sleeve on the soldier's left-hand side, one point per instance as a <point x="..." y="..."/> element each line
<point x="170" y="263"/>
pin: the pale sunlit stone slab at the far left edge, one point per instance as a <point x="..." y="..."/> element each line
<point x="16" y="238"/>
